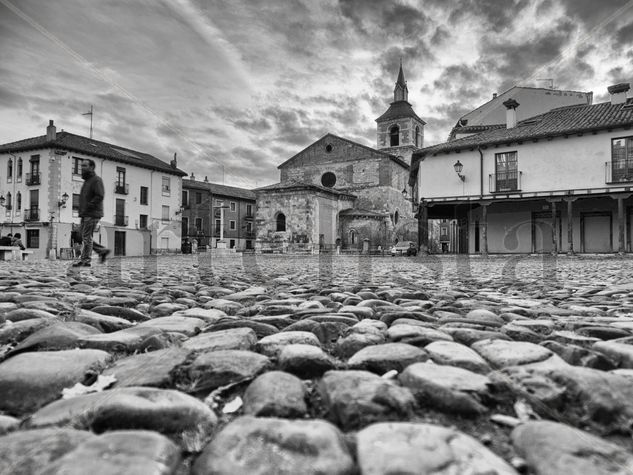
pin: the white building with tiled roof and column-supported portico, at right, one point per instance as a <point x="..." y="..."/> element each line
<point x="557" y="182"/>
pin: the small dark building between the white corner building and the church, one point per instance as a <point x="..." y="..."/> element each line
<point x="217" y="215"/>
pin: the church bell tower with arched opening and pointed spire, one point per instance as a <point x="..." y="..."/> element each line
<point x="399" y="130"/>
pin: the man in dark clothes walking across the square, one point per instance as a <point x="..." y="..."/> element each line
<point x="90" y="212"/>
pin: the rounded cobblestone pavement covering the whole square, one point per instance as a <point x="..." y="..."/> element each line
<point x="328" y="364"/>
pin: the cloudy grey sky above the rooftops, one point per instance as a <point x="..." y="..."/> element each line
<point x="237" y="87"/>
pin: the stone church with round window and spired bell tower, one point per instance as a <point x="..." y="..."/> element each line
<point x="340" y="193"/>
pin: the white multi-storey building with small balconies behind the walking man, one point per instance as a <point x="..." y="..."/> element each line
<point x="40" y="181"/>
